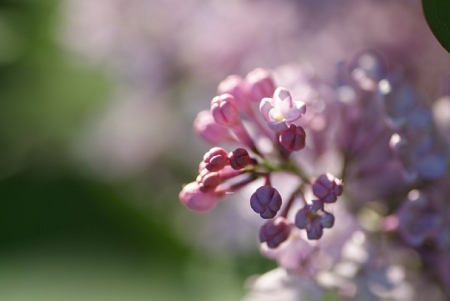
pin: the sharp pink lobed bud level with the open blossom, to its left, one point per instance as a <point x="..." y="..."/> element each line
<point x="225" y="110"/>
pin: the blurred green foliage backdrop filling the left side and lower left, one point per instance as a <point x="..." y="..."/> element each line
<point x="65" y="235"/>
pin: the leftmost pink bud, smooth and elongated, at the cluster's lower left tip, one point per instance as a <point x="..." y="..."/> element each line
<point x="193" y="198"/>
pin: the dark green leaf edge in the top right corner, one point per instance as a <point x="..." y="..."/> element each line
<point x="437" y="14"/>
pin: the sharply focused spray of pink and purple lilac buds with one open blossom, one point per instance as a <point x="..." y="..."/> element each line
<point x="231" y="116"/>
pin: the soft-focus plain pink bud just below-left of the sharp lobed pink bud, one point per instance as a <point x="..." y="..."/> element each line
<point x="207" y="128"/>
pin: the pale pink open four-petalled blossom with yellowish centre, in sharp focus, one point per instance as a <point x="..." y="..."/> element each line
<point x="281" y="110"/>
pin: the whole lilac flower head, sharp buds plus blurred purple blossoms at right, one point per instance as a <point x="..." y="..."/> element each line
<point x="371" y="129"/>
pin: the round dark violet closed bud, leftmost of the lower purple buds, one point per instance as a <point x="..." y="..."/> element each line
<point x="266" y="201"/>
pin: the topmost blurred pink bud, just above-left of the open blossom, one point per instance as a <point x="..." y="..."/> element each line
<point x="260" y="84"/>
